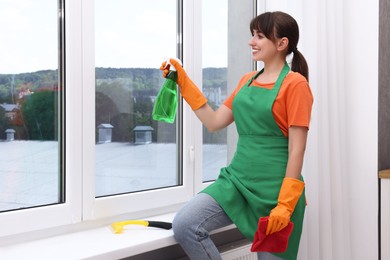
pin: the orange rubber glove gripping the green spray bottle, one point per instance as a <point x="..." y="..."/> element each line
<point x="188" y="89"/>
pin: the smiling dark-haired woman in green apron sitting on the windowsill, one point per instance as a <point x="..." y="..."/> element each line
<point x="271" y="110"/>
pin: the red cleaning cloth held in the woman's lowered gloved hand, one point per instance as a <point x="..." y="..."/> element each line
<point x="274" y="243"/>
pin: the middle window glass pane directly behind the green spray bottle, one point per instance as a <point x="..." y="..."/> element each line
<point x="133" y="152"/>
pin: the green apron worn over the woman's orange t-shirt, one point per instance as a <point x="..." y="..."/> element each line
<point x="249" y="187"/>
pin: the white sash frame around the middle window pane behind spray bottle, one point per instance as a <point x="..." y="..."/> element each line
<point x="145" y="203"/>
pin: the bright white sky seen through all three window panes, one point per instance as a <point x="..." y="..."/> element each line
<point x="128" y="33"/>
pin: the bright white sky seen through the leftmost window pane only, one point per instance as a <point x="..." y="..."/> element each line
<point x="28" y="35"/>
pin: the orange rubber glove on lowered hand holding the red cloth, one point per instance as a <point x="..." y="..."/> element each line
<point x="289" y="194"/>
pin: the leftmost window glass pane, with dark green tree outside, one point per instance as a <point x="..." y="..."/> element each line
<point x="30" y="94"/>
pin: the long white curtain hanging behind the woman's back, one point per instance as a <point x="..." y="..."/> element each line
<point x="339" y="40"/>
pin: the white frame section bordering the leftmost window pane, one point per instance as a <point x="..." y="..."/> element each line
<point x="40" y="218"/>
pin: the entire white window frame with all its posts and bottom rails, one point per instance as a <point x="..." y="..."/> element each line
<point x="81" y="204"/>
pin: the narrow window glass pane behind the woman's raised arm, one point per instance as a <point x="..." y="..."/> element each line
<point x="214" y="58"/>
